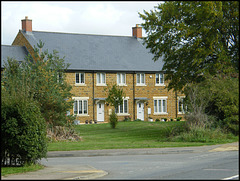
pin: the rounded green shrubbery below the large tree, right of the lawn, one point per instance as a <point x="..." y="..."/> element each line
<point x="215" y="102"/>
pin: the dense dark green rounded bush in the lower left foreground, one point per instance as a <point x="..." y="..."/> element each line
<point x="23" y="132"/>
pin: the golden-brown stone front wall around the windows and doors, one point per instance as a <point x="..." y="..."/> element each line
<point x="96" y="93"/>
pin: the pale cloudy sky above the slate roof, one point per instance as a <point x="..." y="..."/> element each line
<point x="84" y="17"/>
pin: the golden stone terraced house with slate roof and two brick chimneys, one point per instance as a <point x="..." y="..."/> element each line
<point x="99" y="60"/>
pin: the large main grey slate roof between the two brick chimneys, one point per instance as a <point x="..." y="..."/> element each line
<point x="97" y="52"/>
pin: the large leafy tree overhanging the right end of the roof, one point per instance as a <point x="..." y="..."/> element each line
<point x="194" y="38"/>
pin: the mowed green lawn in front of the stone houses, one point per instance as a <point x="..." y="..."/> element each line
<point x="135" y="134"/>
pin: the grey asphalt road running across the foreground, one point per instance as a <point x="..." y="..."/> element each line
<point x="184" y="166"/>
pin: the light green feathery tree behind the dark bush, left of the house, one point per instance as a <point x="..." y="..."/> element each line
<point x="43" y="79"/>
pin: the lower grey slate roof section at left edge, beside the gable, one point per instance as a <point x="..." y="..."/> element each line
<point x="16" y="52"/>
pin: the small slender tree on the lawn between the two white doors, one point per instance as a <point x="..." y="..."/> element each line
<point x="115" y="98"/>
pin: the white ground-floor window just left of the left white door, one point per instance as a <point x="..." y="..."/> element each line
<point x="80" y="106"/>
